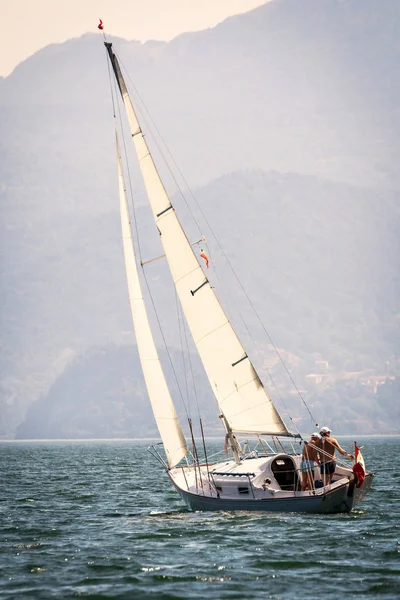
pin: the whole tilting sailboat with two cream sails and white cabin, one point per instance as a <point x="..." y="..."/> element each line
<point x="263" y="479"/>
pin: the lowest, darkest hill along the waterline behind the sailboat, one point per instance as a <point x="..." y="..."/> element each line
<point x="102" y="395"/>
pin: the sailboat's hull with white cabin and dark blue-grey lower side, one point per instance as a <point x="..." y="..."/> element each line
<point x="230" y="487"/>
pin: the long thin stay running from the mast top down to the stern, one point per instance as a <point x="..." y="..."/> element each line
<point x="215" y="237"/>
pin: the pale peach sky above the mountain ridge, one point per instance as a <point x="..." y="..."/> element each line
<point x="28" y="25"/>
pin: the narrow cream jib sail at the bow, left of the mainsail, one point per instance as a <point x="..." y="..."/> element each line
<point x="161" y="401"/>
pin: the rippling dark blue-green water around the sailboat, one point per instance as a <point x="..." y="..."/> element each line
<point x="100" y="520"/>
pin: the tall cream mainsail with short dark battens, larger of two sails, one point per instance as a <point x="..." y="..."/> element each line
<point x="239" y="392"/>
